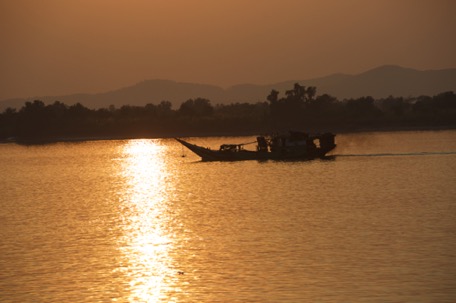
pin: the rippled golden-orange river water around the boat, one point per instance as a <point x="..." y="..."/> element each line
<point x="146" y="221"/>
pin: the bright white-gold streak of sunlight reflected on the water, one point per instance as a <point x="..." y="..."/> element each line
<point x="147" y="238"/>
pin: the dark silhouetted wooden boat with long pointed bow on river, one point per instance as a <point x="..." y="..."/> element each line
<point x="291" y="146"/>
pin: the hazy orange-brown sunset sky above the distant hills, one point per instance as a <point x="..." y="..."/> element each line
<point x="56" y="47"/>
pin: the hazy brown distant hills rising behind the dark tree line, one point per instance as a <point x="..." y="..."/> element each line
<point x="379" y="82"/>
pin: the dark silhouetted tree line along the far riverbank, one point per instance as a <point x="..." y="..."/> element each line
<point x="299" y="108"/>
